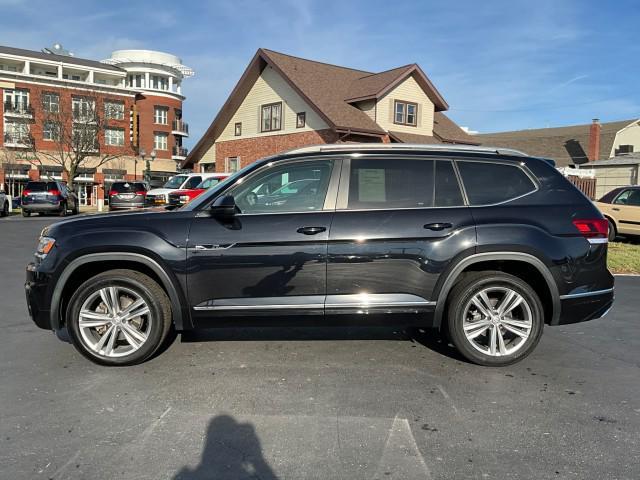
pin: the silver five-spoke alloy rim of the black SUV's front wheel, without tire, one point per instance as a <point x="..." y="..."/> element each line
<point x="114" y="321"/>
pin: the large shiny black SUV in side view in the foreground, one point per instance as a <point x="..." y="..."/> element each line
<point x="485" y="245"/>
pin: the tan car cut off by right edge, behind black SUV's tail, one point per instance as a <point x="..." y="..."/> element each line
<point x="621" y="207"/>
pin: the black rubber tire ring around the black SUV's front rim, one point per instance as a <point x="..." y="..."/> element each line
<point x="91" y="286"/>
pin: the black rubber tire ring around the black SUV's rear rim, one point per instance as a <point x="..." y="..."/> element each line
<point x="456" y="312"/>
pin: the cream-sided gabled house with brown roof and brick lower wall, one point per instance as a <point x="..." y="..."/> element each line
<point x="283" y="102"/>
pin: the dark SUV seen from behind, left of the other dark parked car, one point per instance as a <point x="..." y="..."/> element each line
<point x="48" y="197"/>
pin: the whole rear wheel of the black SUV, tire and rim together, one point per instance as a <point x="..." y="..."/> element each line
<point x="526" y="317"/>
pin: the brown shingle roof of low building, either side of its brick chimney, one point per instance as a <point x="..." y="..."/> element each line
<point x="566" y="145"/>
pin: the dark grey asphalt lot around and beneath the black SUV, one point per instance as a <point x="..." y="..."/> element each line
<point x="321" y="403"/>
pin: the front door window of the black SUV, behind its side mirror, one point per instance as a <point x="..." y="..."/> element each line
<point x="295" y="187"/>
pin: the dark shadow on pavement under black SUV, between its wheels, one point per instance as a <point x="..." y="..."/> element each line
<point x="429" y="338"/>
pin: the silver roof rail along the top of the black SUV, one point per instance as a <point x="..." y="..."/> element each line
<point x="335" y="147"/>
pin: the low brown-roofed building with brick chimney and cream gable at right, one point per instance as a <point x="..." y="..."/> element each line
<point x="573" y="144"/>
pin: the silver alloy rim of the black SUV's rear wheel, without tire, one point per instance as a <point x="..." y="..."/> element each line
<point x="497" y="321"/>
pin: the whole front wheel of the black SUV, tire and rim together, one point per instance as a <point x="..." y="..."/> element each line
<point x="150" y="327"/>
